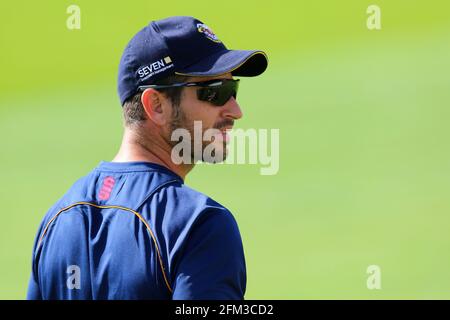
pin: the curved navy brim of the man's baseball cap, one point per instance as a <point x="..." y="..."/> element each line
<point x="242" y="63"/>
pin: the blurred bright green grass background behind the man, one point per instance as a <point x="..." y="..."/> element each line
<point x="363" y="115"/>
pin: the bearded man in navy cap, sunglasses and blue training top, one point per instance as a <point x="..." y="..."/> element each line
<point x="131" y="229"/>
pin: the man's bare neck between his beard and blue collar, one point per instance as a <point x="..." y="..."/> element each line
<point x="137" y="148"/>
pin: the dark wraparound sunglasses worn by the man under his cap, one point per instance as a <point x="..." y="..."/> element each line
<point x="217" y="91"/>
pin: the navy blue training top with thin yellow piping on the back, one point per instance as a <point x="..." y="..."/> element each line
<point x="134" y="230"/>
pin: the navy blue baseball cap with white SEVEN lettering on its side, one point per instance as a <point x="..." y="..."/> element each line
<point x="181" y="46"/>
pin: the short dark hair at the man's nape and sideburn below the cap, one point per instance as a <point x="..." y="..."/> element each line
<point x="133" y="110"/>
